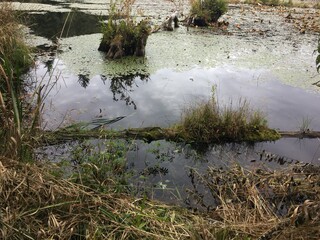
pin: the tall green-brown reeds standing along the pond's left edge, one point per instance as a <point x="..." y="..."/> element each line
<point x="14" y="61"/>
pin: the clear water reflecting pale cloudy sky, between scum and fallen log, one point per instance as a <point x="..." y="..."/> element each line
<point x="159" y="100"/>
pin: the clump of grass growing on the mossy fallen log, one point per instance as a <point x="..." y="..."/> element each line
<point x="207" y="122"/>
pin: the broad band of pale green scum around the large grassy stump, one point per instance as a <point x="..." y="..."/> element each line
<point x="182" y="50"/>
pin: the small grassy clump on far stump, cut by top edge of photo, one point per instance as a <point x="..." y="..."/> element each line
<point x="205" y="12"/>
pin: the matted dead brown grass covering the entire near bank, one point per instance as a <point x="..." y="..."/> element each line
<point x="260" y="204"/>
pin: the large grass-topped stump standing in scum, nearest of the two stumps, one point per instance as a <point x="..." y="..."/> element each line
<point x="122" y="36"/>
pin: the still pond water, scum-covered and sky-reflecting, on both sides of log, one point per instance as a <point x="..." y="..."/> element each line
<point x="260" y="58"/>
